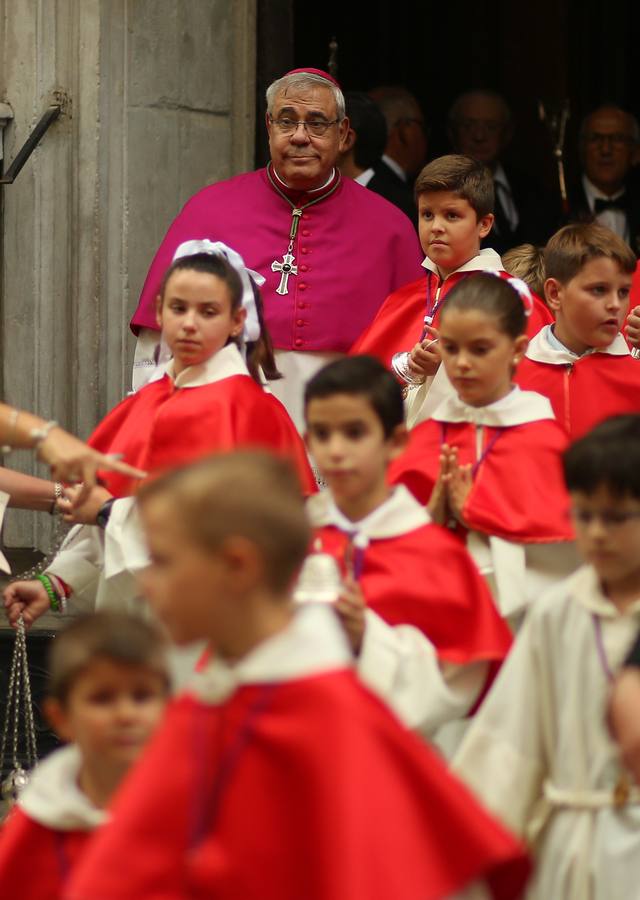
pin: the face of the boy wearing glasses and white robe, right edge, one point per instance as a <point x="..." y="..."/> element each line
<point x="608" y="534"/>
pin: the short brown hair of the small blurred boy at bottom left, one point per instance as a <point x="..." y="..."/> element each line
<point x="118" y="637"/>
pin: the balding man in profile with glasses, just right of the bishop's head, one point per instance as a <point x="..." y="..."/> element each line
<point x="406" y="149"/>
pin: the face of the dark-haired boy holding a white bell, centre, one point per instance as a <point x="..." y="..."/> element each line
<point x="346" y="438"/>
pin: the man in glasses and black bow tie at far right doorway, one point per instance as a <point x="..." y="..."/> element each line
<point x="607" y="190"/>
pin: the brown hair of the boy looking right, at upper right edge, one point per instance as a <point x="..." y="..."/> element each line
<point x="571" y="248"/>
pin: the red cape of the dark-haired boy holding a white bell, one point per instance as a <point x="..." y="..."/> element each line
<point x="427" y="579"/>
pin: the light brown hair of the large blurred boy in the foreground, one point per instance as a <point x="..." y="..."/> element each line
<point x="252" y="494"/>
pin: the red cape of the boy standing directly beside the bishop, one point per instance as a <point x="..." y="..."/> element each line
<point x="399" y="324"/>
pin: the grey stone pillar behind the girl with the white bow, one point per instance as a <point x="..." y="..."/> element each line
<point x="158" y="101"/>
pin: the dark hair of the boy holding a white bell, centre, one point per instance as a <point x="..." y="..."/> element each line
<point x="366" y="377"/>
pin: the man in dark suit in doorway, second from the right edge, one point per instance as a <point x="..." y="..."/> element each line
<point x="480" y="126"/>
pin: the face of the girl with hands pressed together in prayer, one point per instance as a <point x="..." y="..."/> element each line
<point x="478" y="357"/>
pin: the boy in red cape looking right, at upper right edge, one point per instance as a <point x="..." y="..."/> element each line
<point x="582" y="362"/>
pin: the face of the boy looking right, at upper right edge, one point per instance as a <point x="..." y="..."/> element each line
<point x="591" y="308"/>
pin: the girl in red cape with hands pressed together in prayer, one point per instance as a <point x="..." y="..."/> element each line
<point x="489" y="461"/>
